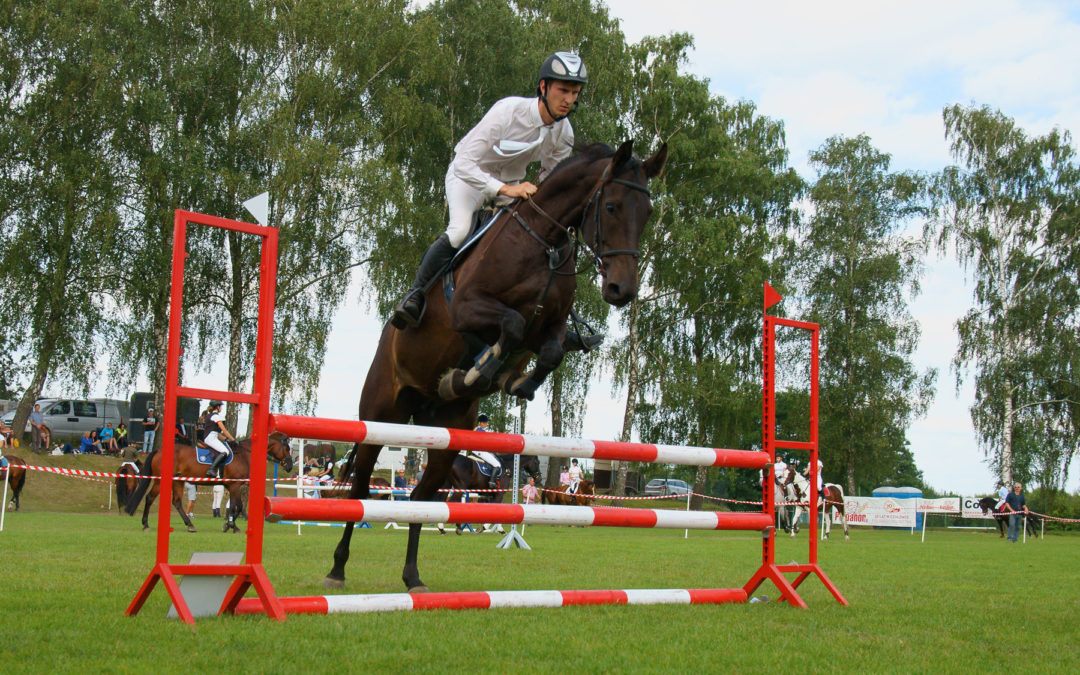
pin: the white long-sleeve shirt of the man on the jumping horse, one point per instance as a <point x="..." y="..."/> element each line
<point x="510" y="138"/>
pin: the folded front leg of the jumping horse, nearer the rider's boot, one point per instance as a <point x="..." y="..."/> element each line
<point x="477" y="317"/>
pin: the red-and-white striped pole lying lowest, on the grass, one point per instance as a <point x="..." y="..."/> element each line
<point x="493" y="600"/>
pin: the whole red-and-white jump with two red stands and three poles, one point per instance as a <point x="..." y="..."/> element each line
<point x="252" y="575"/>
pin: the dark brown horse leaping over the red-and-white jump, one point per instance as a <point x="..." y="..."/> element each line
<point x="514" y="296"/>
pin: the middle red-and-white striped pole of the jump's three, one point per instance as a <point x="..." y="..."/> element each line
<point x="377" y="511"/>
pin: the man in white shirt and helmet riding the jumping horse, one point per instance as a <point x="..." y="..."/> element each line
<point x="491" y="163"/>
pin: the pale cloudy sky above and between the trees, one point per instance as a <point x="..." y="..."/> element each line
<point x="832" y="69"/>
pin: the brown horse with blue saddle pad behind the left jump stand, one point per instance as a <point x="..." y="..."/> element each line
<point x="236" y="475"/>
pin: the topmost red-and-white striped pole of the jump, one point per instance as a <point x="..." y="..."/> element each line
<point x="442" y="439"/>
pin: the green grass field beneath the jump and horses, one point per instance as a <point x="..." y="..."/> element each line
<point x="962" y="602"/>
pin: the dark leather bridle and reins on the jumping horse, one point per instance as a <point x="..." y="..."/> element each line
<point x="574" y="235"/>
